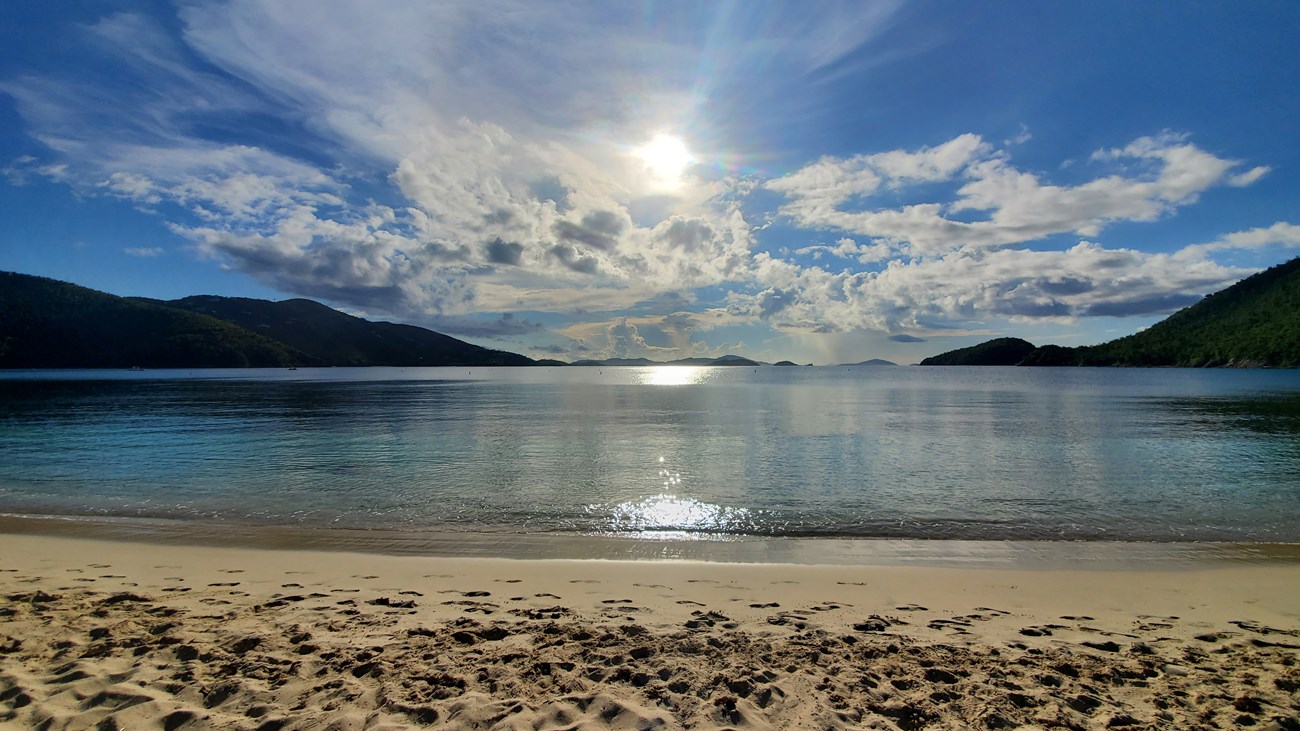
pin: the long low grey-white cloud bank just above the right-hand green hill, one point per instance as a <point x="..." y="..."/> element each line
<point x="965" y="287"/>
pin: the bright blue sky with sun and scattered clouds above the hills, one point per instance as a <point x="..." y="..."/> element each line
<point x="824" y="183"/>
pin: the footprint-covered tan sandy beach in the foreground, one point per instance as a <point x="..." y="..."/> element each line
<point x="123" y="635"/>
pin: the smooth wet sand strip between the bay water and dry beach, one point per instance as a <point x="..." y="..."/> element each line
<point x="1065" y="555"/>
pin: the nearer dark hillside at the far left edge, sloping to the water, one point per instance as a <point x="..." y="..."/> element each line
<point x="51" y="325"/>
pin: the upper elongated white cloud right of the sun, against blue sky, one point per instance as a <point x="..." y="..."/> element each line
<point x="1019" y="206"/>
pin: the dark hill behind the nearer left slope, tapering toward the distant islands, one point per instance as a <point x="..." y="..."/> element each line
<point x="337" y="339"/>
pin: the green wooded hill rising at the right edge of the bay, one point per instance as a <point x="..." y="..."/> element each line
<point x="1251" y="325"/>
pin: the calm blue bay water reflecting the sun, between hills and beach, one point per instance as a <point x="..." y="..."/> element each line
<point x="928" y="453"/>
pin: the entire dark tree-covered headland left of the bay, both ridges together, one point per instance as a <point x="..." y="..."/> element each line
<point x="51" y="325"/>
